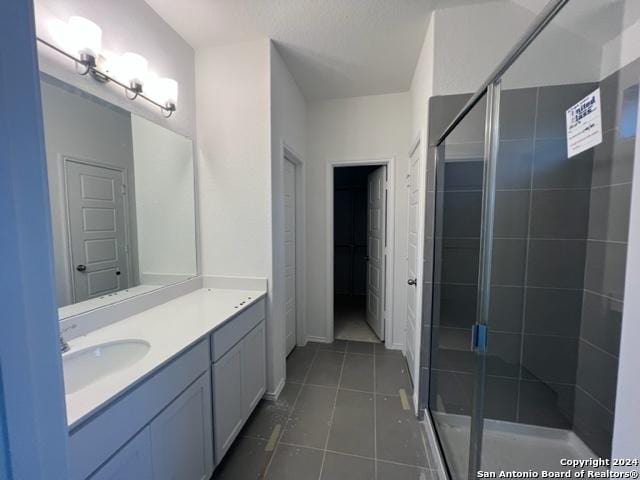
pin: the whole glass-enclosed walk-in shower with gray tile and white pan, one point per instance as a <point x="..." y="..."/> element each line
<point x="529" y="238"/>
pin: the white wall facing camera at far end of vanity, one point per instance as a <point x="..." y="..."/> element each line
<point x="234" y="170"/>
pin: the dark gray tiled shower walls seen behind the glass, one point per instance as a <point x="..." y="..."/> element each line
<point x="560" y="249"/>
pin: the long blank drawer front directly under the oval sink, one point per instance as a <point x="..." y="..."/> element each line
<point x="96" y="441"/>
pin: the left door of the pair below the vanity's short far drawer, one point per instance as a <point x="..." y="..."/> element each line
<point x="227" y="399"/>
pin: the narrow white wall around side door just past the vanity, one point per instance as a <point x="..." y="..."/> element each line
<point x="288" y="120"/>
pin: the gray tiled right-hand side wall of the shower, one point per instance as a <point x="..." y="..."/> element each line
<point x="599" y="342"/>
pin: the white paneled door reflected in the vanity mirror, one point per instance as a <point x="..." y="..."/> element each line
<point x="97" y="229"/>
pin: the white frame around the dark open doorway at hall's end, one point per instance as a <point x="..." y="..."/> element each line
<point x="389" y="162"/>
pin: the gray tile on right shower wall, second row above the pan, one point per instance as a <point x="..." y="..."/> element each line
<point x="598" y="374"/>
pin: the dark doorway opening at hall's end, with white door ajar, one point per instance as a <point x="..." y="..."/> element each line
<point x="359" y="244"/>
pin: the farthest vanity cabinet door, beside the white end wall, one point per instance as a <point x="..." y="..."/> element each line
<point x="253" y="368"/>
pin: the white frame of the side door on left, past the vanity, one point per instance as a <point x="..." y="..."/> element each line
<point x="301" y="325"/>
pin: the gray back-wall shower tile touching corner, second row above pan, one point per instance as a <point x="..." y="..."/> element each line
<point x="550" y="359"/>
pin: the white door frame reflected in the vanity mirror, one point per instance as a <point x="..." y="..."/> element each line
<point x="66" y="159"/>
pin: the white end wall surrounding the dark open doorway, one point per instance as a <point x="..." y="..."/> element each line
<point x="370" y="127"/>
